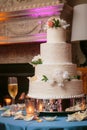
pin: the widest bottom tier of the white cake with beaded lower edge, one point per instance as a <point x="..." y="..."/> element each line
<point x="43" y="90"/>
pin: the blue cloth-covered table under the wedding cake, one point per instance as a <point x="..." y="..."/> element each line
<point x="8" y="123"/>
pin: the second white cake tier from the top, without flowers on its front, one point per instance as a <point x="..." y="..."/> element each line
<point x="56" y="53"/>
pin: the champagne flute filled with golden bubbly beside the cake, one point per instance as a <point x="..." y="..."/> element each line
<point x="12" y="88"/>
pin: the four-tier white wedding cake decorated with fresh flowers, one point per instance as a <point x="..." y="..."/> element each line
<point x="55" y="74"/>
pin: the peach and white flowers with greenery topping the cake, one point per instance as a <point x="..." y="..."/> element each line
<point x="57" y="22"/>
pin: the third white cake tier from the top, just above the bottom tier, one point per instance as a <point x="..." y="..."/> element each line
<point x="50" y="69"/>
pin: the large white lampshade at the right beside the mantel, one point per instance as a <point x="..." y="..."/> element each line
<point x="79" y="23"/>
